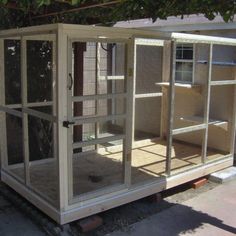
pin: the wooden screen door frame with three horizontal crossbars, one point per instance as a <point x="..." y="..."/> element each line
<point x="95" y="118"/>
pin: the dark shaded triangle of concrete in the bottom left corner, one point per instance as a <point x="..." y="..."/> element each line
<point x="14" y="223"/>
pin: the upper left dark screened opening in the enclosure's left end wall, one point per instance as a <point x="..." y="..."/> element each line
<point x="12" y="54"/>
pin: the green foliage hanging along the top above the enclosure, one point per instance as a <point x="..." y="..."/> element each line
<point x="123" y="10"/>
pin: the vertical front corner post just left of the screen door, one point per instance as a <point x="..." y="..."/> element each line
<point x="62" y="148"/>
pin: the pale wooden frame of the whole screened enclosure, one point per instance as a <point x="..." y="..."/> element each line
<point x="70" y="208"/>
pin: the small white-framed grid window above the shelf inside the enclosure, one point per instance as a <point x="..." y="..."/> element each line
<point x="184" y="63"/>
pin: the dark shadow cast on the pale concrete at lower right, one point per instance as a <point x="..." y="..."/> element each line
<point x="179" y="220"/>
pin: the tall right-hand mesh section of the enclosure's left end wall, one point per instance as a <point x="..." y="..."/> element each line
<point x="40" y="111"/>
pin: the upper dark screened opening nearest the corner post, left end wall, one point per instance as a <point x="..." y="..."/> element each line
<point x="39" y="70"/>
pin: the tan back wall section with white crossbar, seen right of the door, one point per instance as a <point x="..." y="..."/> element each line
<point x="148" y="73"/>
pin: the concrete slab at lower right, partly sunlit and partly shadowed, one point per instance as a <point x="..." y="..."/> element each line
<point x="210" y="213"/>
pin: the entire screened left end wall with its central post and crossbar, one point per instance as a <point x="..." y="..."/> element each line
<point x="29" y="116"/>
